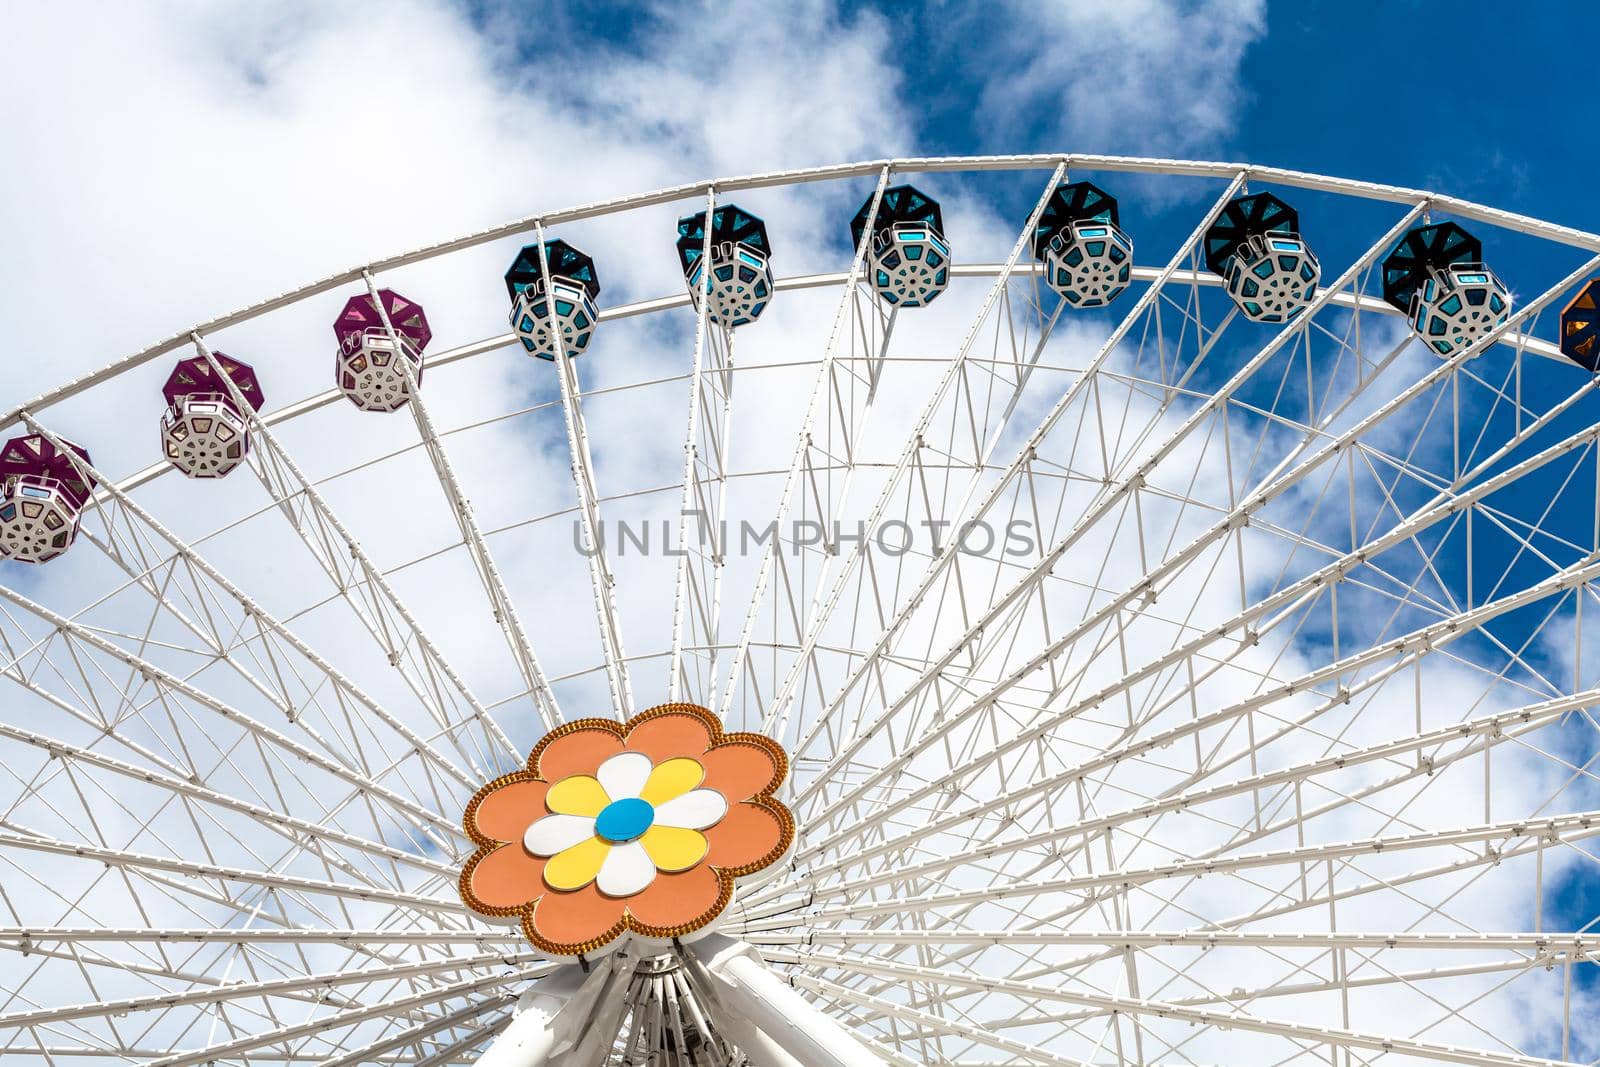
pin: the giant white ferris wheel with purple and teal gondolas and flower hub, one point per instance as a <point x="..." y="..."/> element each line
<point x="1054" y="636"/>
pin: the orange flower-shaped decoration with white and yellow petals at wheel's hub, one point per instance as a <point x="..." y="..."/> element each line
<point x="626" y="828"/>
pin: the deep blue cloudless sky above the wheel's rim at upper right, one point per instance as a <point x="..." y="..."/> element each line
<point x="1471" y="105"/>
